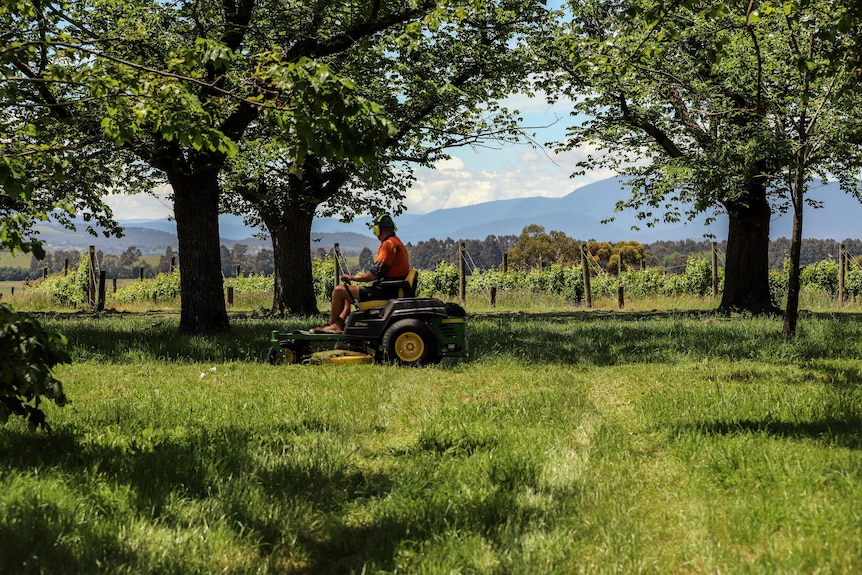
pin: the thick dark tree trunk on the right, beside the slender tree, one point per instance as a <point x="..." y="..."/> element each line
<point x="746" y="274"/>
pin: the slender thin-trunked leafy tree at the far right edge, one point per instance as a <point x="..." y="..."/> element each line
<point x="817" y="102"/>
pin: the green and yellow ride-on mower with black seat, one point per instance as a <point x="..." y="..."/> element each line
<point x="406" y="330"/>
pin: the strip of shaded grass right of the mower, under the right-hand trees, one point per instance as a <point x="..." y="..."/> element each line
<point x="611" y="338"/>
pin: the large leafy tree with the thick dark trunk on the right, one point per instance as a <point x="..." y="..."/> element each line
<point x="678" y="103"/>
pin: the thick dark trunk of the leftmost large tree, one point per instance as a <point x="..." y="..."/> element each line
<point x="196" y="202"/>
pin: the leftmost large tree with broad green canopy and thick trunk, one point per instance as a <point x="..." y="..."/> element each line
<point x="175" y="87"/>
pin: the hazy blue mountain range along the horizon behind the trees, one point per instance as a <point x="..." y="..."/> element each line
<point x="578" y="214"/>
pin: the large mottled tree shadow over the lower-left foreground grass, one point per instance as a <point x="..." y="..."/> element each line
<point x="270" y="490"/>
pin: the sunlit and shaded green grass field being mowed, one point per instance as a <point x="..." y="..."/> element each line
<point x="573" y="441"/>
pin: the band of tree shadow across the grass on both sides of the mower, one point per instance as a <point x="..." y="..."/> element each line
<point x="593" y="337"/>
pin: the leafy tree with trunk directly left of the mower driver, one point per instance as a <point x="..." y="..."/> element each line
<point x="437" y="79"/>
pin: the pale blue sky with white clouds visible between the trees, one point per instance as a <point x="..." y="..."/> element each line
<point x="471" y="176"/>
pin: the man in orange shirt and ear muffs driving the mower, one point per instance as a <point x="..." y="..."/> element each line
<point x="392" y="262"/>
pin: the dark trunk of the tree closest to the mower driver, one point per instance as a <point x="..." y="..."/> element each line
<point x="294" y="282"/>
